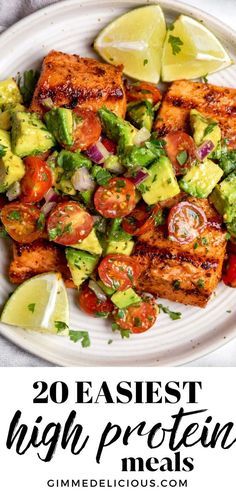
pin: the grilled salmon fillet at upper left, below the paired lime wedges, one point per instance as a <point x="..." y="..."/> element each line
<point x="72" y="81"/>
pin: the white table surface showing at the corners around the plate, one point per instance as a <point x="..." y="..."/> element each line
<point x="11" y="355"/>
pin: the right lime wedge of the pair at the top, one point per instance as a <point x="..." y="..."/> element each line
<point x="191" y="51"/>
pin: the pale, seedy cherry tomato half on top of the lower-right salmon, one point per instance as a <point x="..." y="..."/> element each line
<point x="185" y="222"/>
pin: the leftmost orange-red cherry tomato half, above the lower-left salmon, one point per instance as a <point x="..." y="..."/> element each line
<point x="21" y="222"/>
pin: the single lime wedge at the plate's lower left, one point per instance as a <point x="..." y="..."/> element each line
<point x="38" y="303"/>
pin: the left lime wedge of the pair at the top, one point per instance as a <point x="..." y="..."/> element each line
<point x="135" y="40"/>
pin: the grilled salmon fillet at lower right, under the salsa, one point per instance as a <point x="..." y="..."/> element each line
<point x="186" y="273"/>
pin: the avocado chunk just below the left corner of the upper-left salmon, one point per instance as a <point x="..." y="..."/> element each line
<point x="29" y="135"/>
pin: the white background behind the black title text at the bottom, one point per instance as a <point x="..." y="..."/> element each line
<point x="214" y="468"/>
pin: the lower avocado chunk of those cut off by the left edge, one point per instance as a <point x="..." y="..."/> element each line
<point x="11" y="166"/>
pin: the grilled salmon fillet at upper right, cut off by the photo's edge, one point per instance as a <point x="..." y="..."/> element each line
<point x="213" y="101"/>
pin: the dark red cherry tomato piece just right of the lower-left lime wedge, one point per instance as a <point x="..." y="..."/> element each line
<point x="91" y="305"/>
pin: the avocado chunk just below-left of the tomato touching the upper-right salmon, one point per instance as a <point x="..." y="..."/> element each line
<point x="161" y="183"/>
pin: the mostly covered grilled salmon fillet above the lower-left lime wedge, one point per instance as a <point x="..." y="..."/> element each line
<point x="38" y="257"/>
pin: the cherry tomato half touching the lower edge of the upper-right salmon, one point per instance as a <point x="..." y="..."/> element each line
<point x="180" y="148"/>
